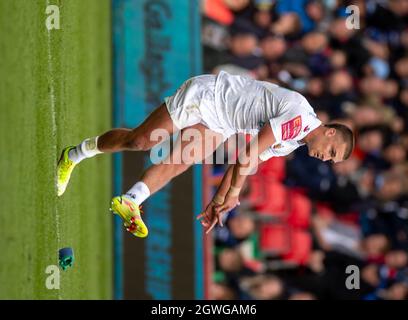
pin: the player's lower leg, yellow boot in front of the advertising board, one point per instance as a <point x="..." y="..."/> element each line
<point x="194" y="144"/>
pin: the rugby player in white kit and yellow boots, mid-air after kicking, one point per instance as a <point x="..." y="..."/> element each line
<point x="217" y="107"/>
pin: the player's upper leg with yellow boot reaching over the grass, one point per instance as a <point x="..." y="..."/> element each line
<point x="114" y="140"/>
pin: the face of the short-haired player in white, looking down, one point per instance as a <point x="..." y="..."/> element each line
<point x="328" y="147"/>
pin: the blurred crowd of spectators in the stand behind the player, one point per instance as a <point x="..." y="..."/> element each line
<point x="357" y="76"/>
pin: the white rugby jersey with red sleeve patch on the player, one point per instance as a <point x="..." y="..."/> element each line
<point x="245" y="105"/>
